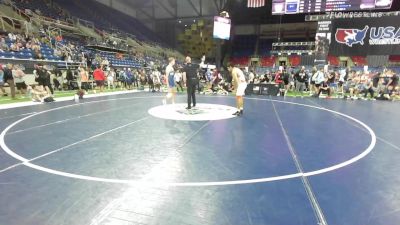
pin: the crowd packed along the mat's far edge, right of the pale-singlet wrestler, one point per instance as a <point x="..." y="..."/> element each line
<point x="333" y="82"/>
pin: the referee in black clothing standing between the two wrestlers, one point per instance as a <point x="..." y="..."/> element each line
<point x="192" y="81"/>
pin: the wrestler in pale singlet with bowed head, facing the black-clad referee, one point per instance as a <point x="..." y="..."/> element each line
<point x="240" y="85"/>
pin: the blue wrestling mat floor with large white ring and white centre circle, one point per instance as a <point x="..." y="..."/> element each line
<point x="120" y="160"/>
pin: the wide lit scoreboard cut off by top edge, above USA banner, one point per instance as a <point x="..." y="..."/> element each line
<point x="280" y="7"/>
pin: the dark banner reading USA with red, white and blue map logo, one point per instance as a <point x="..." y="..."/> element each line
<point x="365" y="36"/>
